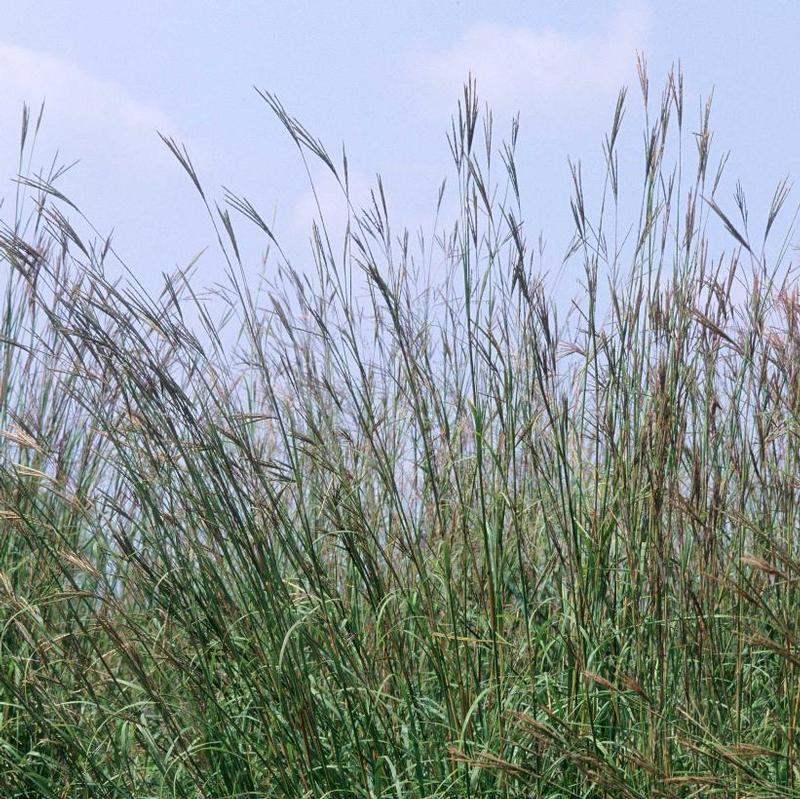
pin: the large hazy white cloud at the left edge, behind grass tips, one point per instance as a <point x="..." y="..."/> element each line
<point x="126" y="178"/>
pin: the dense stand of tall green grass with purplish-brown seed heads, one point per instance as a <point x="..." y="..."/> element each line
<point x="414" y="530"/>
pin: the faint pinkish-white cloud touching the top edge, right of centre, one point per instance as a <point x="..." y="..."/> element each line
<point x="515" y="65"/>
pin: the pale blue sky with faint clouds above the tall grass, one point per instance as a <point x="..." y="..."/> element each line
<point x="382" y="77"/>
